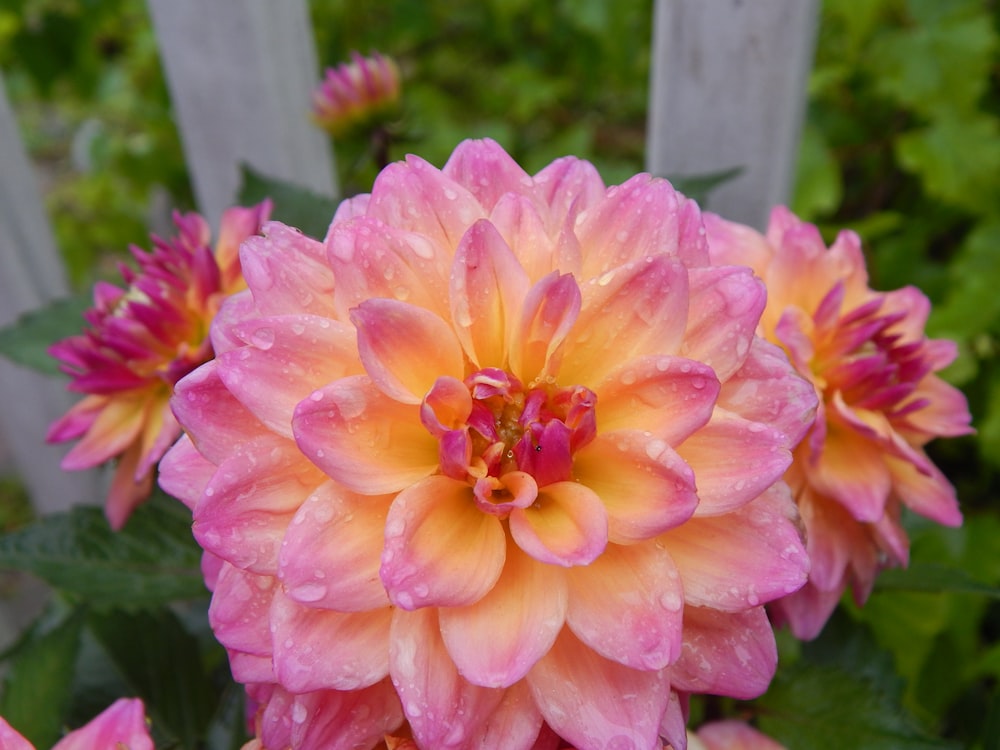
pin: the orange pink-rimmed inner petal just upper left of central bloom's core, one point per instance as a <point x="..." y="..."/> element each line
<point x="405" y="348"/>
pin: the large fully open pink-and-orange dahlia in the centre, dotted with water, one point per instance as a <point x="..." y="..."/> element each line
<point x="501" y="457"/>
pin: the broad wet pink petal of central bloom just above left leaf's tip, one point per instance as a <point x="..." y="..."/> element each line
<point x="250" y="500"/>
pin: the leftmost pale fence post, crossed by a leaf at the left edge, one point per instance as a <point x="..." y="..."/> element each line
<point x="31" y="274"/>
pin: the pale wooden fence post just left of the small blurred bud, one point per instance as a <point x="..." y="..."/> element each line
<point x="240" y="73"/>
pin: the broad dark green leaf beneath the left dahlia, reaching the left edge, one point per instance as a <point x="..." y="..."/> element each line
<point x="153" y="560"/>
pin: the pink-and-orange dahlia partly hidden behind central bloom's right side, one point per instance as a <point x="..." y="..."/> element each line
<point x="880" y="402"/>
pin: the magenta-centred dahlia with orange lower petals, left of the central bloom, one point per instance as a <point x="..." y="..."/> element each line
<point x="139" y="342"/>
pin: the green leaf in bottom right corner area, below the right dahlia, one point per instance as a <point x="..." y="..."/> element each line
<point x="842" y="693"/>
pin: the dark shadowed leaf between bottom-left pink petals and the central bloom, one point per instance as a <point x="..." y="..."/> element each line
<point x="161" y="663"/>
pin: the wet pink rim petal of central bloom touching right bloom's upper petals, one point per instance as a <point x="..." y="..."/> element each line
<point x="726" y="304"/>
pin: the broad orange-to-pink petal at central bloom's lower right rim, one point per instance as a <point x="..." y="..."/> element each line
<point x="743" y="558"/>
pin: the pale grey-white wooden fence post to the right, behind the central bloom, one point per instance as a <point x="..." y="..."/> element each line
<point x="728" y="89"/>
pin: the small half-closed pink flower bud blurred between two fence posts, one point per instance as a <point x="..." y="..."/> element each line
<point x="355" y="92"/>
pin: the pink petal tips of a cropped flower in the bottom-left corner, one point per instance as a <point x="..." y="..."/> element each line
<point x="122" y="726"/>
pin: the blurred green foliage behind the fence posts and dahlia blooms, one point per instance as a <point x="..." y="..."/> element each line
<point x="901" y="143"/>
